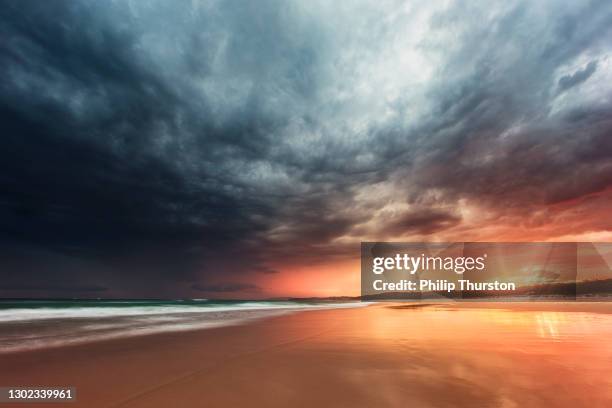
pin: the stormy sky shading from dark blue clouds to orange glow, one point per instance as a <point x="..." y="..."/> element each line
<point x="244" y="149"/>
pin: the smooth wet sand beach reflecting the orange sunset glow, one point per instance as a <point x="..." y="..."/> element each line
<point x="449" y="355"/>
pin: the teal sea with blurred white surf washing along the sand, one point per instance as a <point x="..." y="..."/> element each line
<point x="33" y="324"/>
